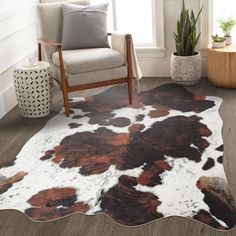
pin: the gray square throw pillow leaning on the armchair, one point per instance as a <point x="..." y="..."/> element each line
<point x="84" y="26"/>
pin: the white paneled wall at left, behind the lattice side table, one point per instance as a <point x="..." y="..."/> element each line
<point x="17" y="38"/>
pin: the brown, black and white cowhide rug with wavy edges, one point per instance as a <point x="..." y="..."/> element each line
<point x="160" y="157"/>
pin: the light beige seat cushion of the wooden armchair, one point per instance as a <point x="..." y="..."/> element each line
<point x="86" y="60"/>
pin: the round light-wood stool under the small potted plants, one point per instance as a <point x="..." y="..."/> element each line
<point x="221" y="66"/>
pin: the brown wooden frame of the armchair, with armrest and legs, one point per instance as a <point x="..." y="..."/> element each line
<point x="66" y="89"/>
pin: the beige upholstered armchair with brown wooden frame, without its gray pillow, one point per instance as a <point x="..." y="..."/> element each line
<point x="80" y="69"/>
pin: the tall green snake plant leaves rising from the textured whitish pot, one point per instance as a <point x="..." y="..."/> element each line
<point x="186" y="37"/>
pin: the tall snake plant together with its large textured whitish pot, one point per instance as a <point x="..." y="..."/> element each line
<point x="186" y="62"/>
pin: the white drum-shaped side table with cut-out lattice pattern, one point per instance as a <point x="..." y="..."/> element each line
<point x="33" y="86"/>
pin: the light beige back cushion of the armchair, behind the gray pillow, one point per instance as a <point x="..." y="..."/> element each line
<point x="50" y="18"/>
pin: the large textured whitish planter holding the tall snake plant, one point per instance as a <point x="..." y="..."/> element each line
<point x="186" y="70"/>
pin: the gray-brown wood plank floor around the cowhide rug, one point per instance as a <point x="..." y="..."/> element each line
<point x="16" y="130"/>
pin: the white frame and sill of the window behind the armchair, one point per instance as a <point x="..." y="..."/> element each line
<point x="157" y="49"/>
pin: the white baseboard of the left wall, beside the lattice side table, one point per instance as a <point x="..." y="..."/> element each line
<point x="7" y="99"/>
